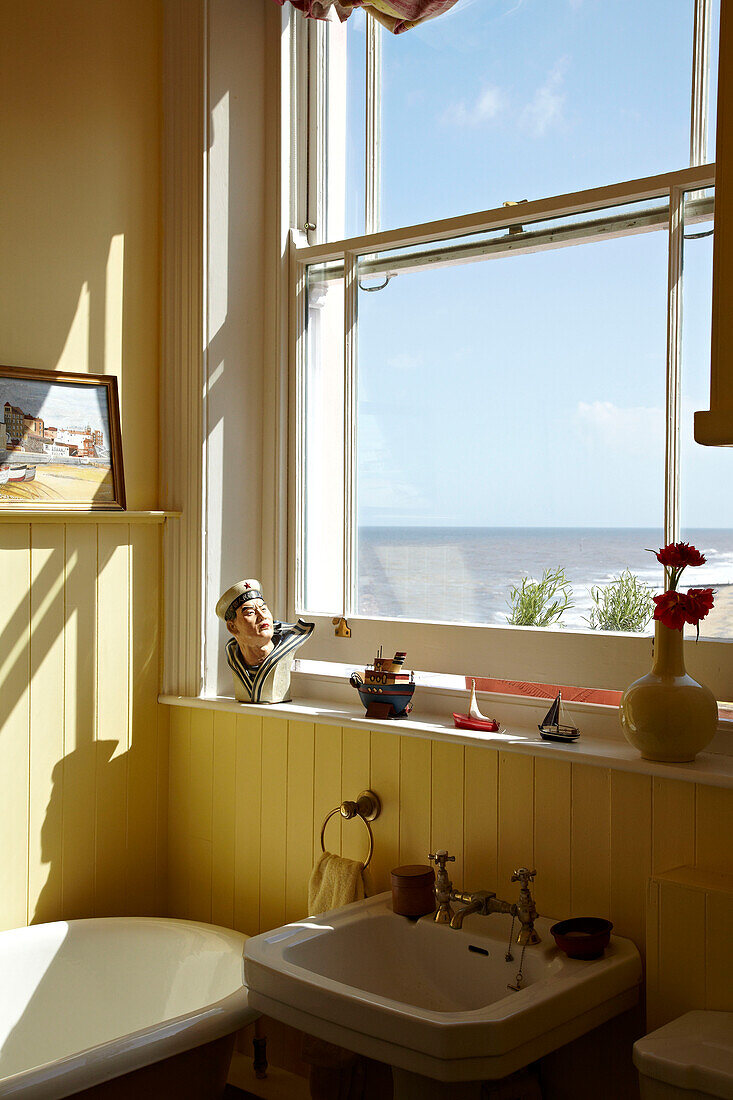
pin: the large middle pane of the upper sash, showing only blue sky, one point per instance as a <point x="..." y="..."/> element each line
<point x="507" y="101"/>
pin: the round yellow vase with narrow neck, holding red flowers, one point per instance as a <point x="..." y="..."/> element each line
<point x="669" y="716"/>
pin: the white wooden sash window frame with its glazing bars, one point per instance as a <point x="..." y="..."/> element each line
<point x="592" y="659"/>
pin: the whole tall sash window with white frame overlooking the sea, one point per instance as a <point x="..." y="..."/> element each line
<point x="485" y="398"/>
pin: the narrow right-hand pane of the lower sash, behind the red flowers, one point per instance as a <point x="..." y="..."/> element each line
<point x="706" y="509"/>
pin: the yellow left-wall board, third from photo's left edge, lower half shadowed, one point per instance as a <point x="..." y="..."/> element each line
<point x="80" y="766"/>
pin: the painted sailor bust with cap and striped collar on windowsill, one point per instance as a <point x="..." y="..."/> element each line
<point x="260" y="652"/>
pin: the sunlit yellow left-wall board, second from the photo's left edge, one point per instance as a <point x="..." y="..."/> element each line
<point x="47" y="732"/>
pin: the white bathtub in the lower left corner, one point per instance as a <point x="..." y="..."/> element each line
<point x="89" y="1003"/>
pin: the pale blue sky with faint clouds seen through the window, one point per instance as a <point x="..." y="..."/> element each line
<point x="530" y="391"/>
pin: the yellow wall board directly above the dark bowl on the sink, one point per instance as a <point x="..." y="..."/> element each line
<point x="592" y="842"/>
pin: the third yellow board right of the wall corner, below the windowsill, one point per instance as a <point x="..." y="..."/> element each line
<point x="224" y="819"/>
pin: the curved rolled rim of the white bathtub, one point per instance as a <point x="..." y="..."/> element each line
<point x="53" y="1081"/>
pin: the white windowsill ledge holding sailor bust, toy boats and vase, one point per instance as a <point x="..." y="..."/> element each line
<point x="601" y="743"/>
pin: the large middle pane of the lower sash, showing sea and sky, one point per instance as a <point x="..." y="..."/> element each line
<point x="511" y="421"/>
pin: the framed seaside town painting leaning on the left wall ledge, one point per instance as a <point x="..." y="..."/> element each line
<point x="61" y="445"/>
